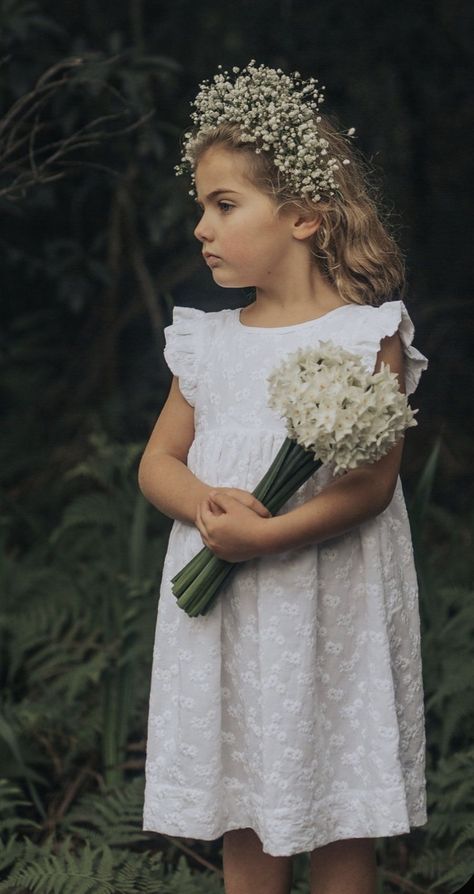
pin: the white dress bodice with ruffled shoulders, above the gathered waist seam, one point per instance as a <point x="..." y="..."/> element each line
<point x="223" y="365"/>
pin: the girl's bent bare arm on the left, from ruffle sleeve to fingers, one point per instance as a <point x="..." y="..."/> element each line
<point x="163" y="476"/>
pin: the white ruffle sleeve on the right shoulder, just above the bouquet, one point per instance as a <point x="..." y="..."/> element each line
<point x="385" y="320"/>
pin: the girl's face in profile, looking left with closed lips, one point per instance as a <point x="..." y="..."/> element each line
<point x="245" y="240"/>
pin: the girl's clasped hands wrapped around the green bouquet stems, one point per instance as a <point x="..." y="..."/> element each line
<point x="229" y="528"/>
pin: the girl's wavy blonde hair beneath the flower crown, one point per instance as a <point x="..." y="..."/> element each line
<point x="352" y="246"/>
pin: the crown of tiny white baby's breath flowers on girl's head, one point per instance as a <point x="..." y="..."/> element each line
<point x="277" y="112"/>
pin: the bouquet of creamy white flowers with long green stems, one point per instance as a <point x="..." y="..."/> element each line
<point x="336" y="412"/>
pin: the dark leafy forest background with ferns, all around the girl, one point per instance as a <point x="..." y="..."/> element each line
<point x="97" y="246"/>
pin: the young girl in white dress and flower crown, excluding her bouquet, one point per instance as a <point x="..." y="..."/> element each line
<point x="290" y="717"/>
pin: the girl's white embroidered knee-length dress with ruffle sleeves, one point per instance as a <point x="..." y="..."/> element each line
<point x="295" y="707"/>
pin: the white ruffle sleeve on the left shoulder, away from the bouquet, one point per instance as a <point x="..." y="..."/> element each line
<point x="183" y="348"/>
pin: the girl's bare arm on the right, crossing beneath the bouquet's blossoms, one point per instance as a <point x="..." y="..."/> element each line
<point x="348" y="501"/>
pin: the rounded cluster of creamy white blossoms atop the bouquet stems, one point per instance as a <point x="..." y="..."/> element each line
<point x="336" y="408"/>
